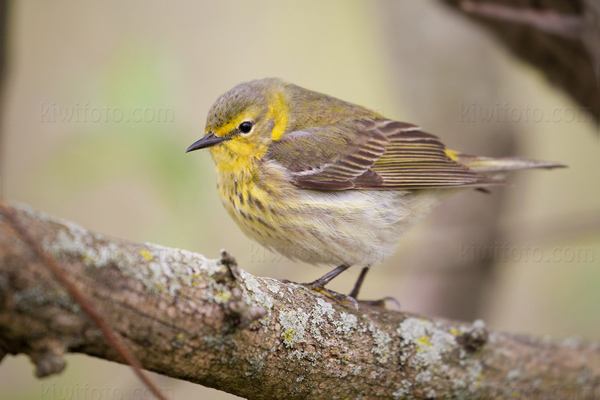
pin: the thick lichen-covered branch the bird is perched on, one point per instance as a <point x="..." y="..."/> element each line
<point x="209" y="322"/>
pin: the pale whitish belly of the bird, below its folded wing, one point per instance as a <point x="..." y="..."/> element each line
<point x="350" y="227"/>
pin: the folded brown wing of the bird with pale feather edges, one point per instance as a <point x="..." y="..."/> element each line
<point x="375" y="154"/>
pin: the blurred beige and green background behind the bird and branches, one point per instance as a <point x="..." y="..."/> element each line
<point x="102" y="98"/>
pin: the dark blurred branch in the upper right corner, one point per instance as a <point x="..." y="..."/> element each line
<point x="559" y="37"/>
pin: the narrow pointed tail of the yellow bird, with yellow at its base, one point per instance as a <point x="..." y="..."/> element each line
<point x="498" y="164"/>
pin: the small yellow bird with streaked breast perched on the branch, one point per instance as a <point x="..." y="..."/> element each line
<point x="329" y="182"/>
